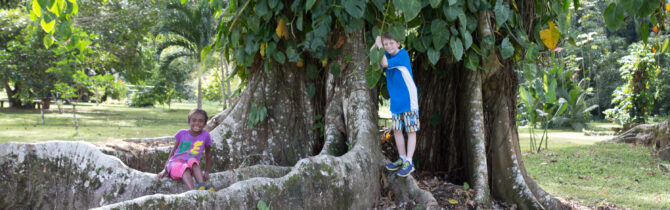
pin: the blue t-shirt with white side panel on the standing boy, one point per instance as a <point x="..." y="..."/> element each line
<point x="400" y="83"/>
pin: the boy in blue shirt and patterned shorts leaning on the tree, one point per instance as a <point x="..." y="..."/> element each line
<point x="404" y="101"/>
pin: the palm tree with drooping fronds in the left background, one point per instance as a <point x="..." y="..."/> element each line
<point x="189" y="28"/>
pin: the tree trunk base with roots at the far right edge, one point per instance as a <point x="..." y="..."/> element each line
<point x="655" y="135"/>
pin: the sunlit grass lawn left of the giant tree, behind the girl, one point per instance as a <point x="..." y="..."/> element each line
<point x="96" y="123"/>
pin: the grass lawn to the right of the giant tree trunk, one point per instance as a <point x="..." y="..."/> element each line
<point x="596" y="173"/>
